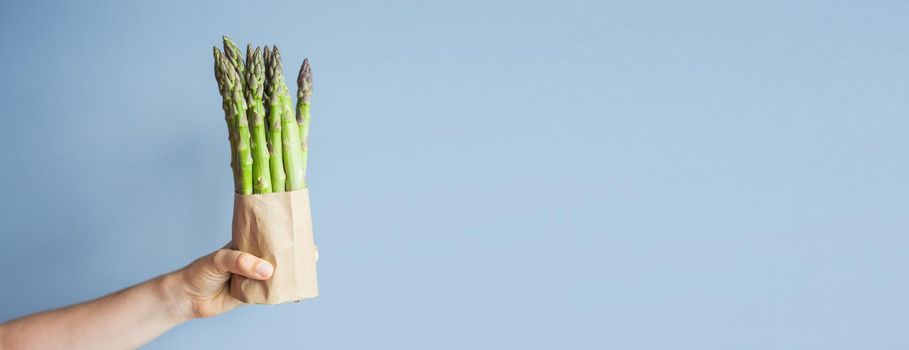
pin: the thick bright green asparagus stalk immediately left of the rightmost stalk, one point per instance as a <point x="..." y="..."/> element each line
<point x="290" y="131"/>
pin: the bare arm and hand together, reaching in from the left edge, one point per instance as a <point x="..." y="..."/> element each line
<point x="129" y="318"/>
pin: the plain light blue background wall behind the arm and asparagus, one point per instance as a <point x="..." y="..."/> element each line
<point x="580" y="174"/>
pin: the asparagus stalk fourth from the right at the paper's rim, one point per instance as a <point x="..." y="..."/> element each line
<point x="255" y="79"/>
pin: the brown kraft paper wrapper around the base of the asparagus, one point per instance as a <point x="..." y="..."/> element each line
<point x="276" y="227"/>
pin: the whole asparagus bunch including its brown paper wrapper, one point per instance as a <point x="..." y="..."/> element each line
<point x="268" y="151"/>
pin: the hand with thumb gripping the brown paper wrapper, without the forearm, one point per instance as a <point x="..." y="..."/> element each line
<point x="201" y="288"/>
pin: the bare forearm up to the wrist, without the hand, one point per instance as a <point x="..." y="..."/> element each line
<point x="125" y="319"/>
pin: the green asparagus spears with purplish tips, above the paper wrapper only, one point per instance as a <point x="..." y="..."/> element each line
<point x="268" y="142"/>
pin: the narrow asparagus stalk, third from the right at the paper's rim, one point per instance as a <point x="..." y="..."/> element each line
<point x="273" y="114"/>
